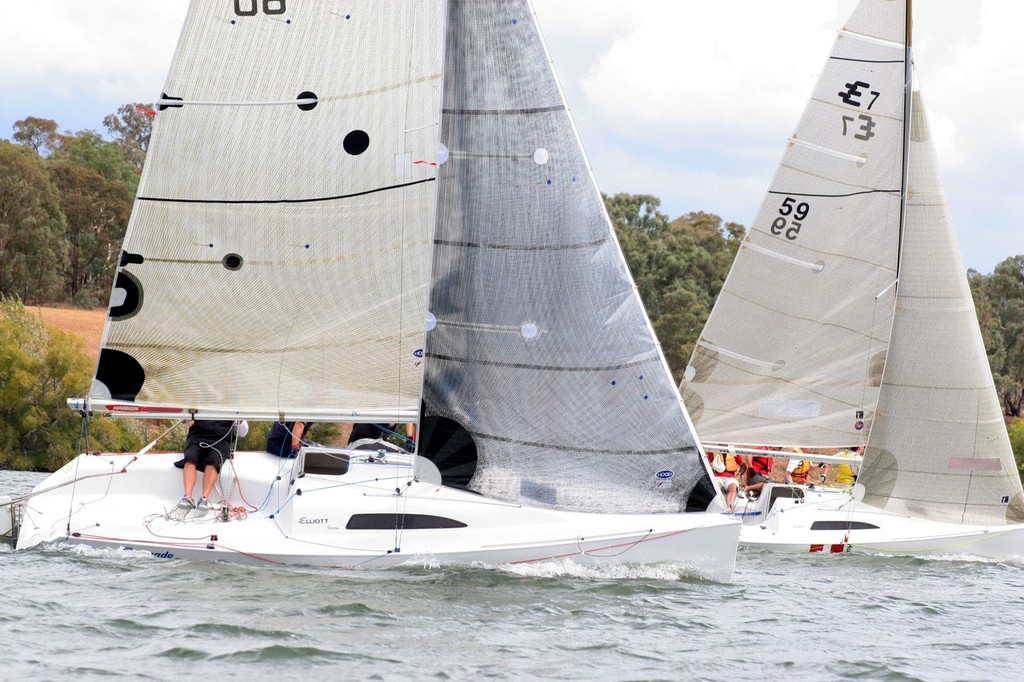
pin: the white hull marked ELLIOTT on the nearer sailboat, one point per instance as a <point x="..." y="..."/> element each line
<point x="312" y="516"/>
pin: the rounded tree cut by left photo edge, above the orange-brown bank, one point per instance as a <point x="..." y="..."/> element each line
<point x="33" y="246"/>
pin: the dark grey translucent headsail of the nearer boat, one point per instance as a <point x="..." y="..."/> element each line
<point x="544" y="381"/>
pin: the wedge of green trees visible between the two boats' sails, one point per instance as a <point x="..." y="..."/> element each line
<point x="679" y="268"/>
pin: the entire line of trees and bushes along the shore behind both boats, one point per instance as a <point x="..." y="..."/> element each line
<point x="65" y="203"/>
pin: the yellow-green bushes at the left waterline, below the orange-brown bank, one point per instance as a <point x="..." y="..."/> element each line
<point x="40" y="368"/>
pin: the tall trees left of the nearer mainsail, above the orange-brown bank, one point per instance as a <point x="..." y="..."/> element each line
<point x="65" y="203"/>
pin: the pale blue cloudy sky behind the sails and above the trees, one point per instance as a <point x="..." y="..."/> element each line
<point x="690" y="101"/>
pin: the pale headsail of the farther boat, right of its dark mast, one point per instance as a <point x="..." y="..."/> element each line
<point x="940" y="448"/>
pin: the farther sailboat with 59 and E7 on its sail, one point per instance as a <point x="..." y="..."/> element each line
<point x="847" y="321"/>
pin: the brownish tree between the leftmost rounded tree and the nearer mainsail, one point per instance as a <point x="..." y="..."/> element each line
<point x="97" y="210"/>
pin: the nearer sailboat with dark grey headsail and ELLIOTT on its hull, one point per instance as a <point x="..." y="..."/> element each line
<point x="358" y="216"/>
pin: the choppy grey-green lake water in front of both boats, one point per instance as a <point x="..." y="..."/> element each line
<point x="80" y="615"/>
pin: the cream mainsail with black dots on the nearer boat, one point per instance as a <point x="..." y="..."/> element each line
<point x="278" y="254"/>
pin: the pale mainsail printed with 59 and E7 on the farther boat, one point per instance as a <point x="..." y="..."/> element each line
<point x="794" y="350"/>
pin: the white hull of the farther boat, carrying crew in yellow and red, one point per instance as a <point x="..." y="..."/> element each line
<point x="832" y="521"/>
